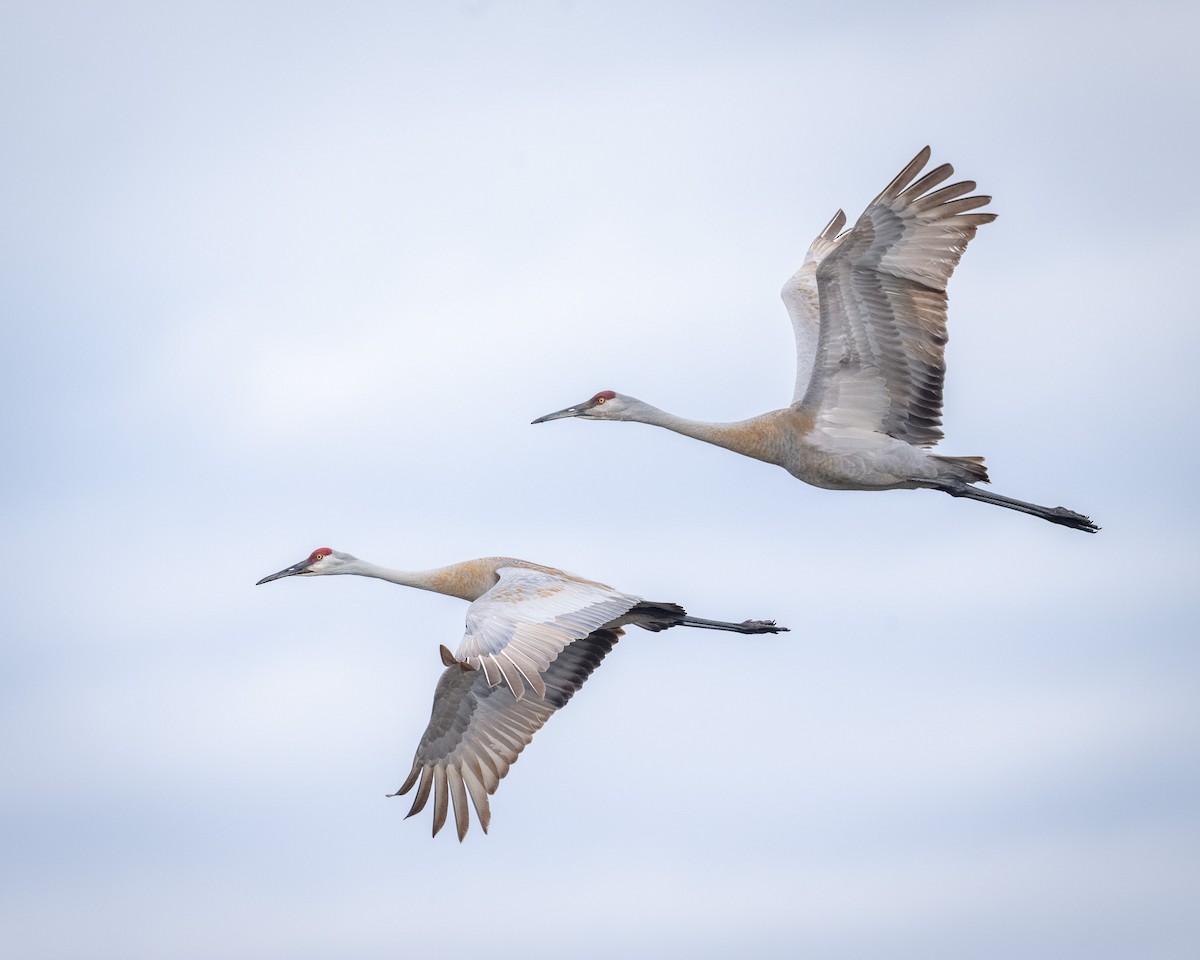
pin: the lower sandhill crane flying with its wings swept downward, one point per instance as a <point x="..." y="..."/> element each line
<point x="535" y="634"/>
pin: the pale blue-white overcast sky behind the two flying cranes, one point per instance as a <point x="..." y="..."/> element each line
<point x="278" y="277"/>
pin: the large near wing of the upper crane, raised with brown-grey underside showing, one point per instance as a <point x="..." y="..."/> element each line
<point x="883" y="302"/>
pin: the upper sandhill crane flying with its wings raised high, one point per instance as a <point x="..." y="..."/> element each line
<point x="868" y="308"/>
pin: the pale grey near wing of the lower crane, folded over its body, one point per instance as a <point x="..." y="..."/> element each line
<point x="518" y="628"/>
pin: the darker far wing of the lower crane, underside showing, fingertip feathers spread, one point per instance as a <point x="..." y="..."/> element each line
<point x="477" y="731"/>
